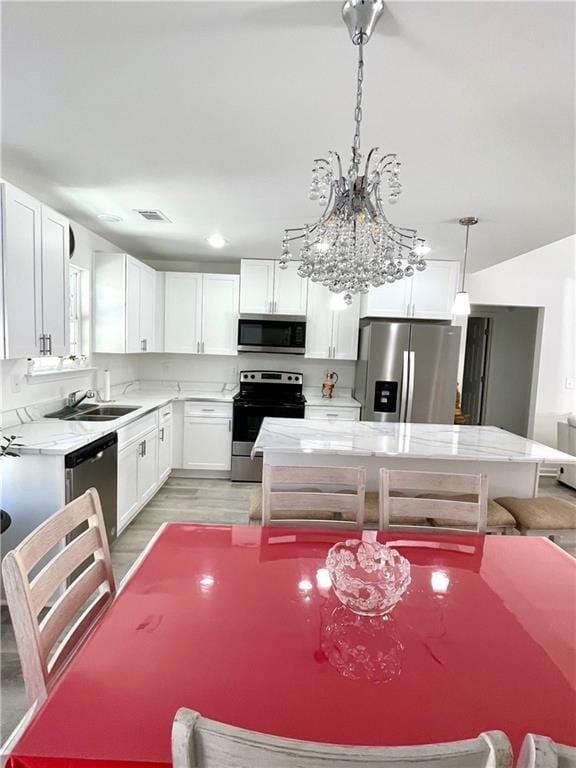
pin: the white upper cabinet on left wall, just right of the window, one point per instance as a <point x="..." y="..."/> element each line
<point x="124" y="304"/>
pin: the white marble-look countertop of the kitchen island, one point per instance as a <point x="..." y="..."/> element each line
<point x="424" y="441"/>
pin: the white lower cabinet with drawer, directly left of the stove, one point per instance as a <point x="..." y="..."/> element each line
<point x="207" y="440"/>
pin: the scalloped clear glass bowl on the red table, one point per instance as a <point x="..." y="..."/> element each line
<point x="368" y="577"/>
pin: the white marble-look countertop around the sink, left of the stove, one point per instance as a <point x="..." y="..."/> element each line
<point x="58" y="437"/>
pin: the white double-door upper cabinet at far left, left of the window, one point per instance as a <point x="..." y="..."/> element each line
<point x="35" y="277"/>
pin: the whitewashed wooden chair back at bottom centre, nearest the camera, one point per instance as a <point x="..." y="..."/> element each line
<point x="201" y="743"/>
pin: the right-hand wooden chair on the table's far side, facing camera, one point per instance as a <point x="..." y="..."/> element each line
<point x="448" y="513"/>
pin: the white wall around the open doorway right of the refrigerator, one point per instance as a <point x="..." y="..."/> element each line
<point x="545" y="277"/>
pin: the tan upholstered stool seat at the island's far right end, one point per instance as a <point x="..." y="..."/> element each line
<point x="542" y="516"/>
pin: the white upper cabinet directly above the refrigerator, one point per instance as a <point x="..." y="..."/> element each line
<point x="427" y="294"/>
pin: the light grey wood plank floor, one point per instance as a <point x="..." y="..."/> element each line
<point x="181" y="499"/>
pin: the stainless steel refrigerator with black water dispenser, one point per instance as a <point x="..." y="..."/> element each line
<point x="407" y="372"/>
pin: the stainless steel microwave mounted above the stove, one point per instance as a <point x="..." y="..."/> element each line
<point x="272" y="333"/>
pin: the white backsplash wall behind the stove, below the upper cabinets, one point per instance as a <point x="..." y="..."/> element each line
<point x="212" y="368"/>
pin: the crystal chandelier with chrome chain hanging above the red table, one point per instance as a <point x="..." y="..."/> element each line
<point x="352" y="245"/>
